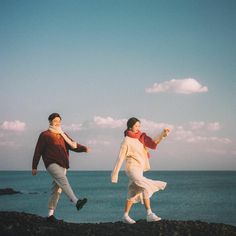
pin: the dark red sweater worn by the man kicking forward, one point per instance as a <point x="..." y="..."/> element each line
<point x="53" y="149"/>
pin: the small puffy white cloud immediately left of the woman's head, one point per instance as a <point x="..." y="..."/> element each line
<point x="108" y="122"/>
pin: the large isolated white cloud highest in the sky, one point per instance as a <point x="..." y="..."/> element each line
<point x="183" y="86"/>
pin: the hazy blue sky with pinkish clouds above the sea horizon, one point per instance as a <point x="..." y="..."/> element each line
<point x="170" y="63"/>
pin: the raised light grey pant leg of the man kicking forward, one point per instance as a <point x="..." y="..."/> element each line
<point x="58" y="174"/>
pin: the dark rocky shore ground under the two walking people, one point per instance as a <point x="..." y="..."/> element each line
<point x="20" y="223"/>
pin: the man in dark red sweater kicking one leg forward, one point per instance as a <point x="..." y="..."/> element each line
<point x="54" y="145"/>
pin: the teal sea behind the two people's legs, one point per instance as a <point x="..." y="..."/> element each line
<point x="208" y="196"/>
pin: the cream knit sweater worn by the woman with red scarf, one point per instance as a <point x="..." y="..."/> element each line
<point x="133" y="151"/>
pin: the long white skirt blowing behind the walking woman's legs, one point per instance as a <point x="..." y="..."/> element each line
<point x="140" y="187"/>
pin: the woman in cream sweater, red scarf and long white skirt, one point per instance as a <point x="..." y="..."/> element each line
<point x="134" y="149"/>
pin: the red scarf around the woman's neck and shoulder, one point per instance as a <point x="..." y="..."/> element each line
<point x="143" y="138"/>
